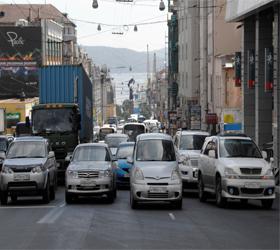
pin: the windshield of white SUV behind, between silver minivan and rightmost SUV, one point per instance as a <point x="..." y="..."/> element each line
<point x="192" y="142"/>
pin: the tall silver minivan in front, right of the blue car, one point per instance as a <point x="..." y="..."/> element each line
<point x="155" y="172"/>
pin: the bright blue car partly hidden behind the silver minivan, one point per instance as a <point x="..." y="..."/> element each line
<point x="124" y="151"/>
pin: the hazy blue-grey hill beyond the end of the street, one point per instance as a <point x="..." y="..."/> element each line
<point x="119" y="60"/>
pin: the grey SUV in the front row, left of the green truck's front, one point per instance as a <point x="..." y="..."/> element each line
<point x="29" y="169"/>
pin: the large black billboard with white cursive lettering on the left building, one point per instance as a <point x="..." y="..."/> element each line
<point x="20" y="57"/>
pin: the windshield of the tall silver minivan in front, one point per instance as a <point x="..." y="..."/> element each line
<point x="155" y="150"/>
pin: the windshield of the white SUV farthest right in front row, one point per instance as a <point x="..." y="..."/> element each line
<point x="239" y="148"/>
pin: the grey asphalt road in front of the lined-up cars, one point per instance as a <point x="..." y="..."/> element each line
<point x="95" y="224"/>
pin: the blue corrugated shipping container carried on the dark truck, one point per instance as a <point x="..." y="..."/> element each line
<point x="68" y="84"/>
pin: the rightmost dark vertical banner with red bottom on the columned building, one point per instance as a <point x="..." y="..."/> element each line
<point x="268" y="84"/>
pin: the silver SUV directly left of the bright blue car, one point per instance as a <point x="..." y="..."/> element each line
<point x="91" y="172"/>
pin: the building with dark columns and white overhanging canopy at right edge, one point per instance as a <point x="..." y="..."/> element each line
<point x="260" y="68"/>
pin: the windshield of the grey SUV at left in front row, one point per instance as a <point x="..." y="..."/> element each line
<point x="27" y="149"/>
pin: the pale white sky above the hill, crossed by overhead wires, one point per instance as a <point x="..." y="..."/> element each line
<point x="114" y="17"/>
